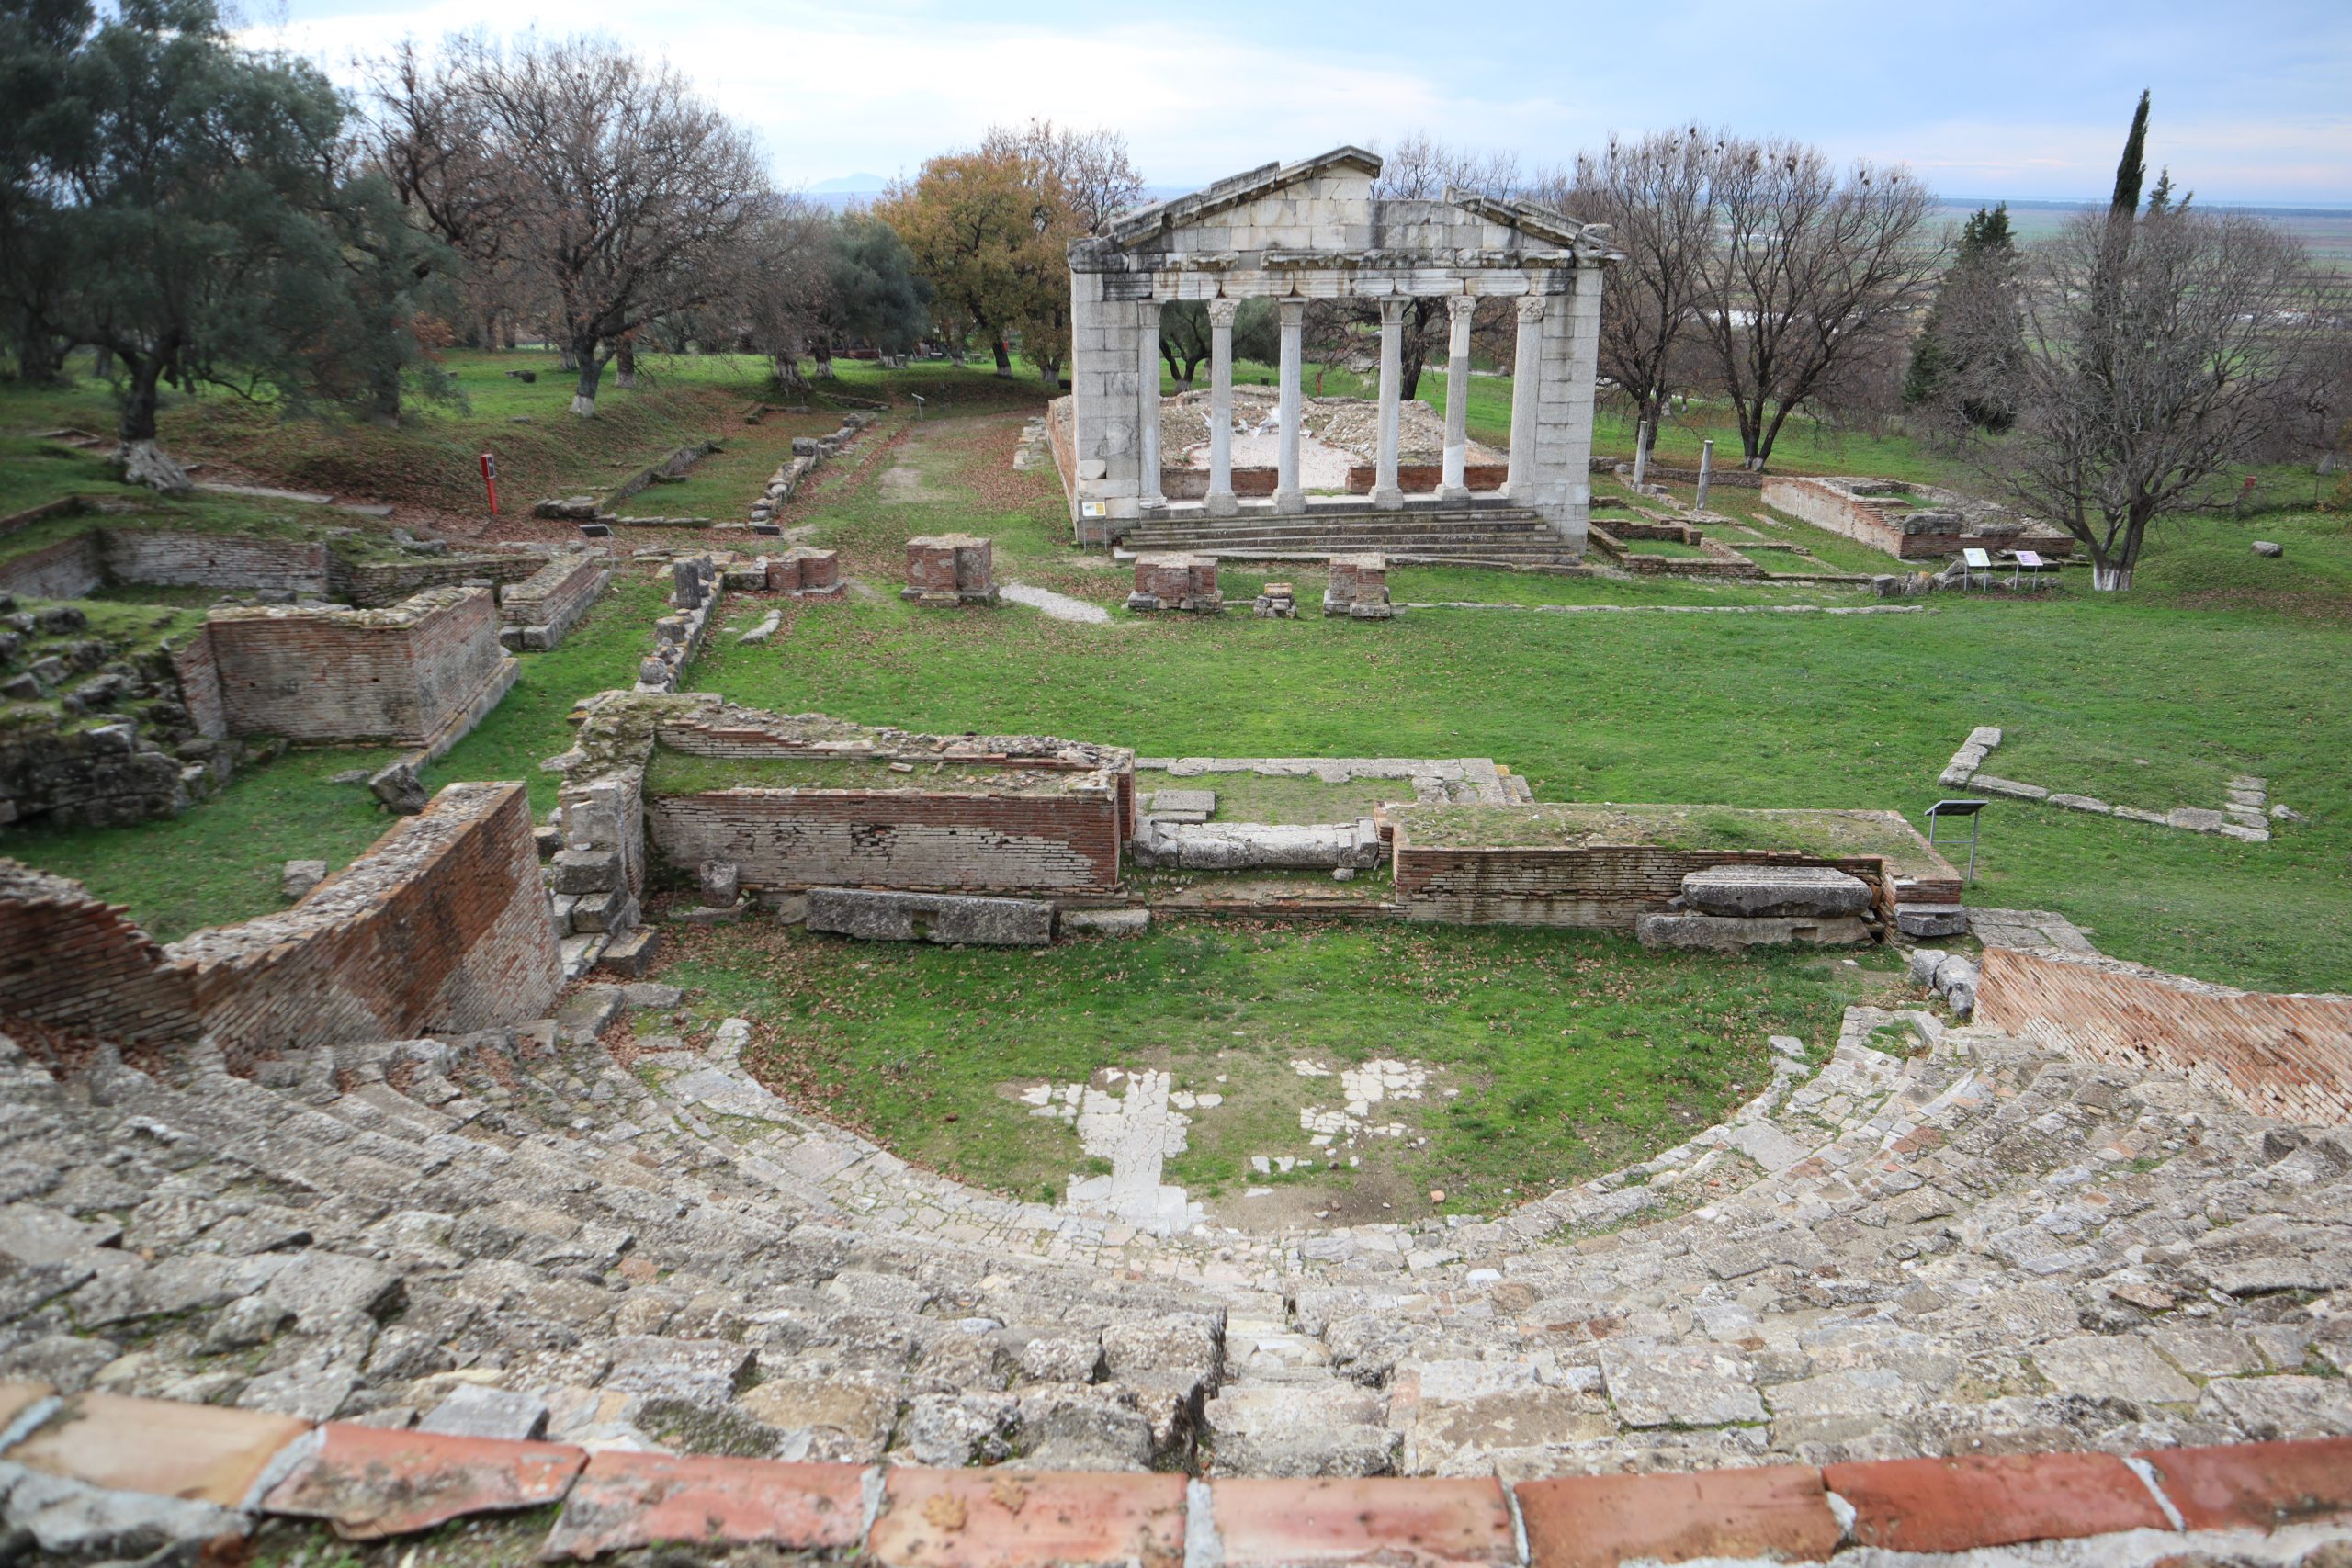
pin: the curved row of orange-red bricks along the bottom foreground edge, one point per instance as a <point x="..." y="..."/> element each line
<point x="377" y="1482"/>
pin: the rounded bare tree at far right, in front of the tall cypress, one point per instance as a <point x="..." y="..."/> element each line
<point x="2144" y="356"/>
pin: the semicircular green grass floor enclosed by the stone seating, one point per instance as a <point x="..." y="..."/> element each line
<point x="1575" y="1052"/>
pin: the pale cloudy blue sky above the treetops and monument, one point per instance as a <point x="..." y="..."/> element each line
<point x="1989" y="98"/>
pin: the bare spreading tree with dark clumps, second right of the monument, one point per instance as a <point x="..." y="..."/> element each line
<point x="1810" y="272"/>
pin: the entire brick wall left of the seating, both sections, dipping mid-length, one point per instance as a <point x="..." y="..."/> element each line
<point x="441" y="925"/>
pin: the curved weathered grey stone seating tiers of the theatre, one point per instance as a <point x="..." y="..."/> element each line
<point x="1930" y="1242"/>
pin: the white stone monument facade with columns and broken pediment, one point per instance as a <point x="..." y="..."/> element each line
<point x="1316" y="232"/>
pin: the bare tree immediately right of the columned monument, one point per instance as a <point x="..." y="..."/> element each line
<point x="1657" y="194"/>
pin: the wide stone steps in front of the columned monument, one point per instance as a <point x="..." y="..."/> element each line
<point x="1474" y="535"/>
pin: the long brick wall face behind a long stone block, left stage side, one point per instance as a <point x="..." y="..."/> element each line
<point x="895" y="840"/>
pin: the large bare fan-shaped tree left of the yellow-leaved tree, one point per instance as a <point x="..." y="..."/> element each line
<point x="634" y="194"/>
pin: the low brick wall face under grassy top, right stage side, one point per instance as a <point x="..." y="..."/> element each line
<point x="1601" y="887"/>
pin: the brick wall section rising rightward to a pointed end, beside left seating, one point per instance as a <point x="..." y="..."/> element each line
<point x="441" y="927"/>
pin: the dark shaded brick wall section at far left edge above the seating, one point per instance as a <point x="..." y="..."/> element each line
<point x="76" y="963"/>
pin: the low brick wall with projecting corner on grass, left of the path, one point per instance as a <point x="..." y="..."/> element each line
<point x="354" y="674"/>
